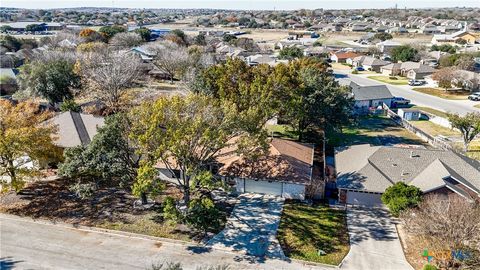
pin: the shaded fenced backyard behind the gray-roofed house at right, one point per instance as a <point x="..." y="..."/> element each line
<point x="378" y="130"/>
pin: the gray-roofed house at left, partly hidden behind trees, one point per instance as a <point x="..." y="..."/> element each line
<point x="75" y="129"/>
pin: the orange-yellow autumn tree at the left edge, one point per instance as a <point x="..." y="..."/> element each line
<point x="24" y="138"/>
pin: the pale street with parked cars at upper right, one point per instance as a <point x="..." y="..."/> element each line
<point x="420" y="99"/>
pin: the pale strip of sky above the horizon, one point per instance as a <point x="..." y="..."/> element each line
<point x="240" y="4"/>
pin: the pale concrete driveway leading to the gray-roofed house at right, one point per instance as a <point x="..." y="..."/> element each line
<point x="374" y="242"/>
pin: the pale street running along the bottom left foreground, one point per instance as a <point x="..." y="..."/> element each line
<point x="25" y="244"/>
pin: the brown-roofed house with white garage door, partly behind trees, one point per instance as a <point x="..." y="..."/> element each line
<point x="285" y="170"/>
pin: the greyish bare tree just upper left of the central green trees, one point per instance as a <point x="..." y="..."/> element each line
<point x="170" y="58"/>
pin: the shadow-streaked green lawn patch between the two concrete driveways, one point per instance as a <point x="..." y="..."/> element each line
<point x="304" y="230"/>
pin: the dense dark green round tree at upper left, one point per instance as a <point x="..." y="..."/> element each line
<point x="53" y="79"/>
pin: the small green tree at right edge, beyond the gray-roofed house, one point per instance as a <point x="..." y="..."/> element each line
<point x="469" y="126"/>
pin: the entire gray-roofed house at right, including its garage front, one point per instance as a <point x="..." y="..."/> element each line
<point x="364" y="172"/>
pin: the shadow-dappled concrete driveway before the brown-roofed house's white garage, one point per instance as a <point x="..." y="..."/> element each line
<point x="252" y="227"/>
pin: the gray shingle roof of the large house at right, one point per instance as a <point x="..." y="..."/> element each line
<point x="424" y="168"/>
